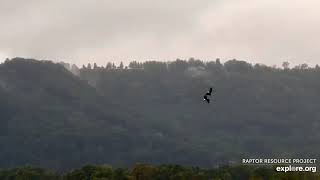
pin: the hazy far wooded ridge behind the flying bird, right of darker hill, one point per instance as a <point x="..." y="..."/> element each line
<point x="257" y="110"/>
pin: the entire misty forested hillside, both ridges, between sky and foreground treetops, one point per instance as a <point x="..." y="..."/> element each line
<point x="153" y="112"/>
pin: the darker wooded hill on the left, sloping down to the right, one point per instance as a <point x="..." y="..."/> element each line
<point x="51" y="118"/>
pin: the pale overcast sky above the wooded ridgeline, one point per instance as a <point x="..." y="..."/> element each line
<point x="82" y="31"/>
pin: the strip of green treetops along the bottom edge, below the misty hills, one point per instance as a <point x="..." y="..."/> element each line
<point x="161" y="172"/>
